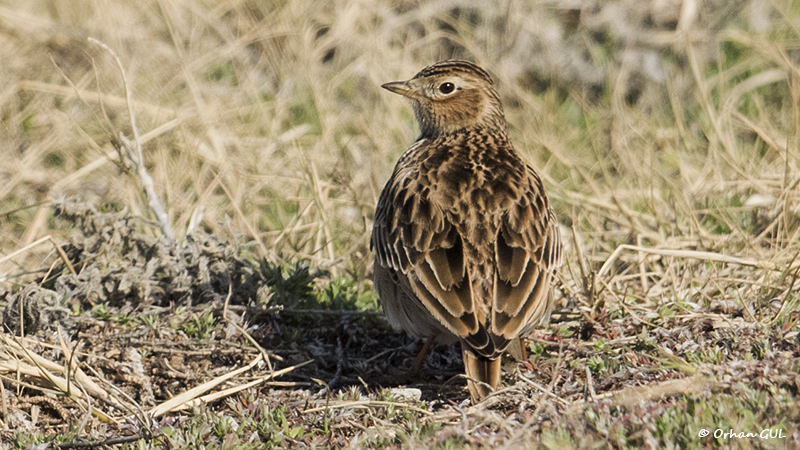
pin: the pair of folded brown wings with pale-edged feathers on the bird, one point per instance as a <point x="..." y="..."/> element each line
<point x="413" y="237"/>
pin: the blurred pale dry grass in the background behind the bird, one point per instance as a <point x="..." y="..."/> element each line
<point x="662" y="123"/>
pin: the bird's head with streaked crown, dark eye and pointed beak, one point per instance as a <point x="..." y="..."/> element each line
<point x="452" y="95"/>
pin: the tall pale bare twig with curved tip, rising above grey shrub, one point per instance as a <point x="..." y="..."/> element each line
<point x="138" y="161"/>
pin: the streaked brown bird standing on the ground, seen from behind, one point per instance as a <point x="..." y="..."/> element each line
<point x="466" y="241"/>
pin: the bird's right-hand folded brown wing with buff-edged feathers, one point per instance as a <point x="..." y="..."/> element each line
<point x="527" y="251"/>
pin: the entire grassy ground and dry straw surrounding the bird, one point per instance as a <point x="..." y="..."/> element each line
<point x="666" y="133"/>
